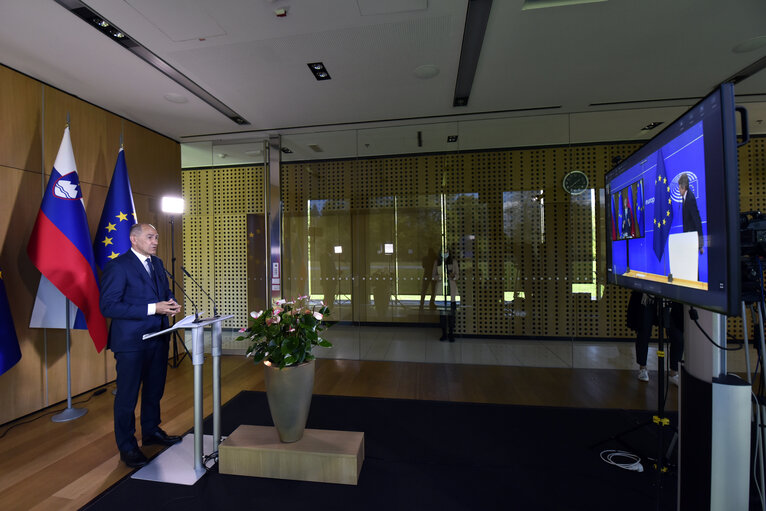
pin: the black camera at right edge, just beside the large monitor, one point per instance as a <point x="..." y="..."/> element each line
<point x="752" y="229"/>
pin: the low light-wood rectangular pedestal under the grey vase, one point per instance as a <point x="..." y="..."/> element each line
<point x="323" y="456"/>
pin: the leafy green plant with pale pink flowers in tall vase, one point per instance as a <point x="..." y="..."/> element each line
<point x="285" y="333"/>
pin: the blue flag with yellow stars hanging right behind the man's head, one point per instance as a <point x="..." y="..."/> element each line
<point x="113" y="233"/>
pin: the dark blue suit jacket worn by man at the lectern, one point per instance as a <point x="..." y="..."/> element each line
<point x="126" y="292"/>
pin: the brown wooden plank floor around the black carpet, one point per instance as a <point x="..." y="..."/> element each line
<point x="61" y="466"/>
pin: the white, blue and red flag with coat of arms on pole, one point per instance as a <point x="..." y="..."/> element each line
<point x="60" y="244"/>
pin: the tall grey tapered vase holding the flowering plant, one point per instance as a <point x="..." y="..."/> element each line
<point x="288" y="392"/>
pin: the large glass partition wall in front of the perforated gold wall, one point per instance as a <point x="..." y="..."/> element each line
<point x="415" y="233"/>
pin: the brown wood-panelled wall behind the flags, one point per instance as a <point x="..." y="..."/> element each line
<point x="34" y="118"/>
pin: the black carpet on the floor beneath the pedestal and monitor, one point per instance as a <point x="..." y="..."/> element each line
<point x="424" y="455"/>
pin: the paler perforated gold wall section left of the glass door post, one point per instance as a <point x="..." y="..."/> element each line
<point x="215" y="232"/>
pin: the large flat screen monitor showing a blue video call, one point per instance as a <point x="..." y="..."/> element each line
<point x="672" y="215"/>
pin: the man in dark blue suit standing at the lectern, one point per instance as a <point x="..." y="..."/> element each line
<point x="136" y="295"/>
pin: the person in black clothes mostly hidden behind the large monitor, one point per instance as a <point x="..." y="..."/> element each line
<point x="641" y="317"/>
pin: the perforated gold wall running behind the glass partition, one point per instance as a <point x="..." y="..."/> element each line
<point x="531" y="255"/>
